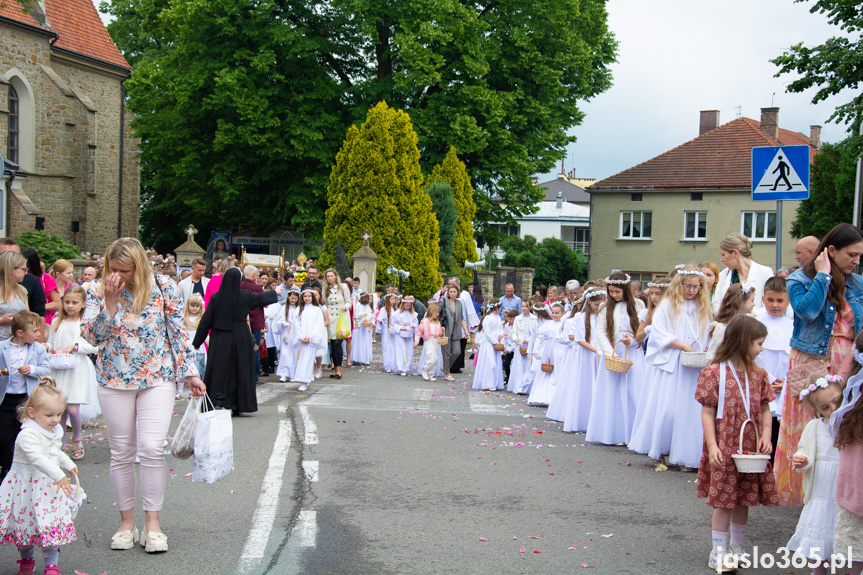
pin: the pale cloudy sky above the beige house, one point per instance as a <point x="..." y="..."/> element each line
<point x="678" y="57"/>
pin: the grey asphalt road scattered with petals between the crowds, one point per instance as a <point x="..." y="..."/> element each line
<point x="382" y="474"/>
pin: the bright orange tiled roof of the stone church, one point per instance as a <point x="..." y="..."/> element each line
<point x="78" y="26"/>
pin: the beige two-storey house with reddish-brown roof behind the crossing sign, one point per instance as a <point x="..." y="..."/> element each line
<point x="677" y="207"/>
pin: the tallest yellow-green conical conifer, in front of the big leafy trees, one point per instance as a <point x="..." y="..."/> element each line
<point x="377" y="185"/>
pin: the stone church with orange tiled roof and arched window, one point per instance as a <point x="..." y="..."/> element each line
<point x="71" y="160"/>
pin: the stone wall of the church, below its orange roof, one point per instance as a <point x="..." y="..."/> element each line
<point x="77" y="163"/>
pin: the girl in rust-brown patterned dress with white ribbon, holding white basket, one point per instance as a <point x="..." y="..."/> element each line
<point x="732" y="391"/>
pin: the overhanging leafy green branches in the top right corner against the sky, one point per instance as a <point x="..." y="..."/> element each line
<point x="833" y="66"/>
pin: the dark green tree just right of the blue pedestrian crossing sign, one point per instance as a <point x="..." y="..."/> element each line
<point x="831" y="195"/>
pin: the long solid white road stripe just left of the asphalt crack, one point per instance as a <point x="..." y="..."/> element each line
<point x="268" y="500"/>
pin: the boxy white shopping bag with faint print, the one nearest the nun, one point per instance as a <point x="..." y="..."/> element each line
<point x="214" y="445"/>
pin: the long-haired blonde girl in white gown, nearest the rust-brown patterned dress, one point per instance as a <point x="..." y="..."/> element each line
<point x="673" y="425"/>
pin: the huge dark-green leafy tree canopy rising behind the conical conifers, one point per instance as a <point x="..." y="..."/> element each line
<point x="240" y="105"/>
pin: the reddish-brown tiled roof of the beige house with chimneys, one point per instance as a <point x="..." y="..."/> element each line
<point x="718" y="159"/>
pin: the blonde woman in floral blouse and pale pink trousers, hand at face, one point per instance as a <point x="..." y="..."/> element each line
<point x="136" y="320"/>
